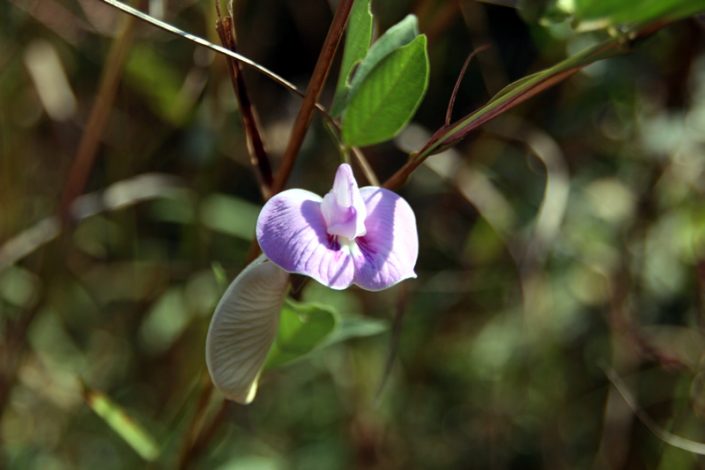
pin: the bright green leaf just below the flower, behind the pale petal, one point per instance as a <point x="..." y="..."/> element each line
<point x="302" y="328"/>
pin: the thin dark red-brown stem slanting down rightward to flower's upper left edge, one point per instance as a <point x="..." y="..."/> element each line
<point x="255" y="144"/>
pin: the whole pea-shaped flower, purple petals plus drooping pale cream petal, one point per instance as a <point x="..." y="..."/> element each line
<point x="365" y="236"/>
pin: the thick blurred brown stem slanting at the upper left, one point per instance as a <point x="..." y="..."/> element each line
<point x="88" y="147"/>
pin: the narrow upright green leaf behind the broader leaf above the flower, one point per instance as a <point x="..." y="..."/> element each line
<point x="357" y="43"/>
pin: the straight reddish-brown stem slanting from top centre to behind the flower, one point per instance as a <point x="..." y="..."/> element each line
<point x="320" y="72"/>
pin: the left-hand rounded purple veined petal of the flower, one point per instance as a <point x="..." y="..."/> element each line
<point x="292" y="233"/>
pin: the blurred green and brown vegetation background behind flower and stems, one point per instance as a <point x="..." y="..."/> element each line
<point x="562" y="241"/>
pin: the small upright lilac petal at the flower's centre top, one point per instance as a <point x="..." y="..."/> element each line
<point x="343" y="209"/>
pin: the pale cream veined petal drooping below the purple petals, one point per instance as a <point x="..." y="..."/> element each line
<point x="243" y="329"/>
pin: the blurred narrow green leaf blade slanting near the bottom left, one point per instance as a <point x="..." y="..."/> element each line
<point x="126" y="427"/>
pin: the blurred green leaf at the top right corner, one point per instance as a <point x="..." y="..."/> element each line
<point x="598" y="14"/>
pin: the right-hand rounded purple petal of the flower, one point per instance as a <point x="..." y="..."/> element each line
<point x="387" y="254"/>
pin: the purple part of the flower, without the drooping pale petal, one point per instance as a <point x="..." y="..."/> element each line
<point x="364" y="236"/>
